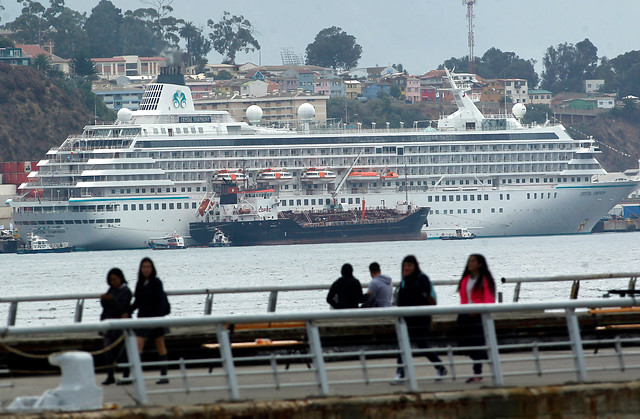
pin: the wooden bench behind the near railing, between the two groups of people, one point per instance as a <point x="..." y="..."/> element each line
<point x="293" y="346"/>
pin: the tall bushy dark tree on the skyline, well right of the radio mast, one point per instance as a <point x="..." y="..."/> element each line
<point x="567" y="65"/>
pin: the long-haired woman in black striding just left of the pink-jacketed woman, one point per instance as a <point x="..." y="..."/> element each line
<point x="416" y="290"/>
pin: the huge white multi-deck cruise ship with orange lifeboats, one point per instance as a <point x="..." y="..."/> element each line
<point x="117" y="186"/>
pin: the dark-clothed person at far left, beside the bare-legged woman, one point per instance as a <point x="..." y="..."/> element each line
<point x="116" y="303"/>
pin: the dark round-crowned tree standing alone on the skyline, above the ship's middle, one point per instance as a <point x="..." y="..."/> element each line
<point x="334" y="48"/>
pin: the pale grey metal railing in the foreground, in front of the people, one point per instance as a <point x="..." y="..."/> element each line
<point x="537" y="362"/>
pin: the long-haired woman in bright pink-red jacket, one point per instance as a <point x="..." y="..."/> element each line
<point x="476" y="286"/>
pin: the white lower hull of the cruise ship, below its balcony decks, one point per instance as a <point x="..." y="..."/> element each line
<point x="570" y="209"/>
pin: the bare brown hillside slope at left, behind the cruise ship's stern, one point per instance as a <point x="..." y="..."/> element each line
<point x="37" y="113"/>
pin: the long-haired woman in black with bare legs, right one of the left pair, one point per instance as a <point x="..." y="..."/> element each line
<point x="150" y="301"/>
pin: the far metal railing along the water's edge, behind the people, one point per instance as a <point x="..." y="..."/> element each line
<point x="273" y="292"/>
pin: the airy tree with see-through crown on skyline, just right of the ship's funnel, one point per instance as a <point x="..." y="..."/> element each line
<point x="231" y="35"/>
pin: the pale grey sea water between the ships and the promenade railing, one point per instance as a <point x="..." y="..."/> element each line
<point x="198" y="268"/>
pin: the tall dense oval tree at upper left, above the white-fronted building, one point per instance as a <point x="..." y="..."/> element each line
<point x="103" y="29"/>
